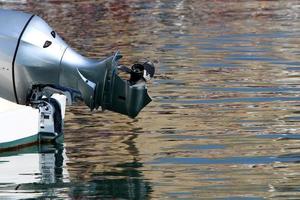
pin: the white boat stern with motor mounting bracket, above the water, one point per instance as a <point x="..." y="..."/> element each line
<point x="24" y="125"/>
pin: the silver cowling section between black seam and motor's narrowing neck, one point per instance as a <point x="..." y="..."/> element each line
<point x="33" y="58"/>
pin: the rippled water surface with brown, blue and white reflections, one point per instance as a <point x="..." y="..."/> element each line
<point x="224" y="121"/>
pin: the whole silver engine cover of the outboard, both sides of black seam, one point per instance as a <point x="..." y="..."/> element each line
<point x="24" y="58"/>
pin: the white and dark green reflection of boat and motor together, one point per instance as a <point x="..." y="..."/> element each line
<point x="46" y="172"/>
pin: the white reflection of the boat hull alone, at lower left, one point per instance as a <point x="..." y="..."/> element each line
<point x="30" y="167"/>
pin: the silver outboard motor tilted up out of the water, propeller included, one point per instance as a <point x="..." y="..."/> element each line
<point x="36" y="63"/>
